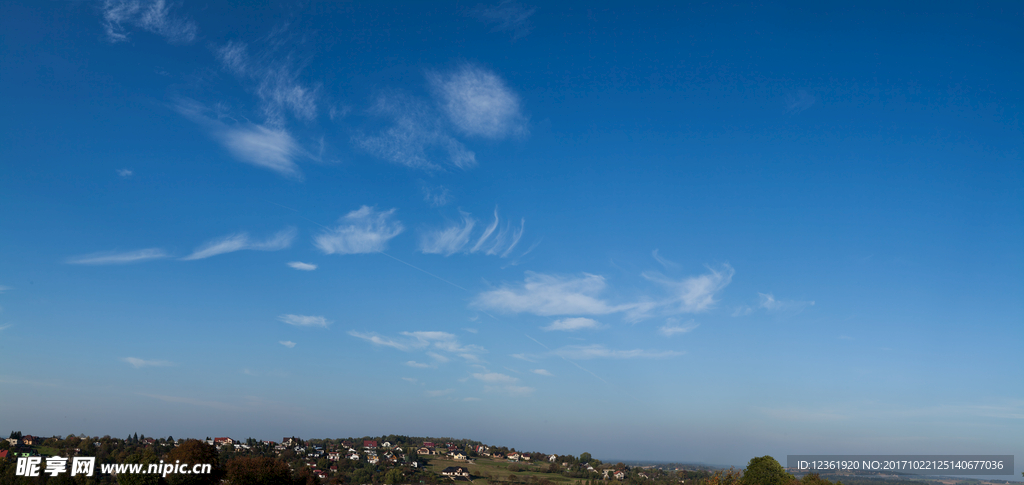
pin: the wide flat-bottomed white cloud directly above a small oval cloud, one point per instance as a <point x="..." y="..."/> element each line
<point x="551" y="295"/>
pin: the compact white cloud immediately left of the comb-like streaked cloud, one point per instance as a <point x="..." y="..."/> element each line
<point x="363" y="231"/>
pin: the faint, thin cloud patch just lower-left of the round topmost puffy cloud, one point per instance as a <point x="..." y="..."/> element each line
<point x="415" y="138"/>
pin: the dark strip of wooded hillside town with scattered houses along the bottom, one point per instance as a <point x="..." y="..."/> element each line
<point x="386" y="460"/>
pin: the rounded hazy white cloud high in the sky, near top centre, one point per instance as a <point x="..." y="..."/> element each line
<point x="479" y="103"/>
